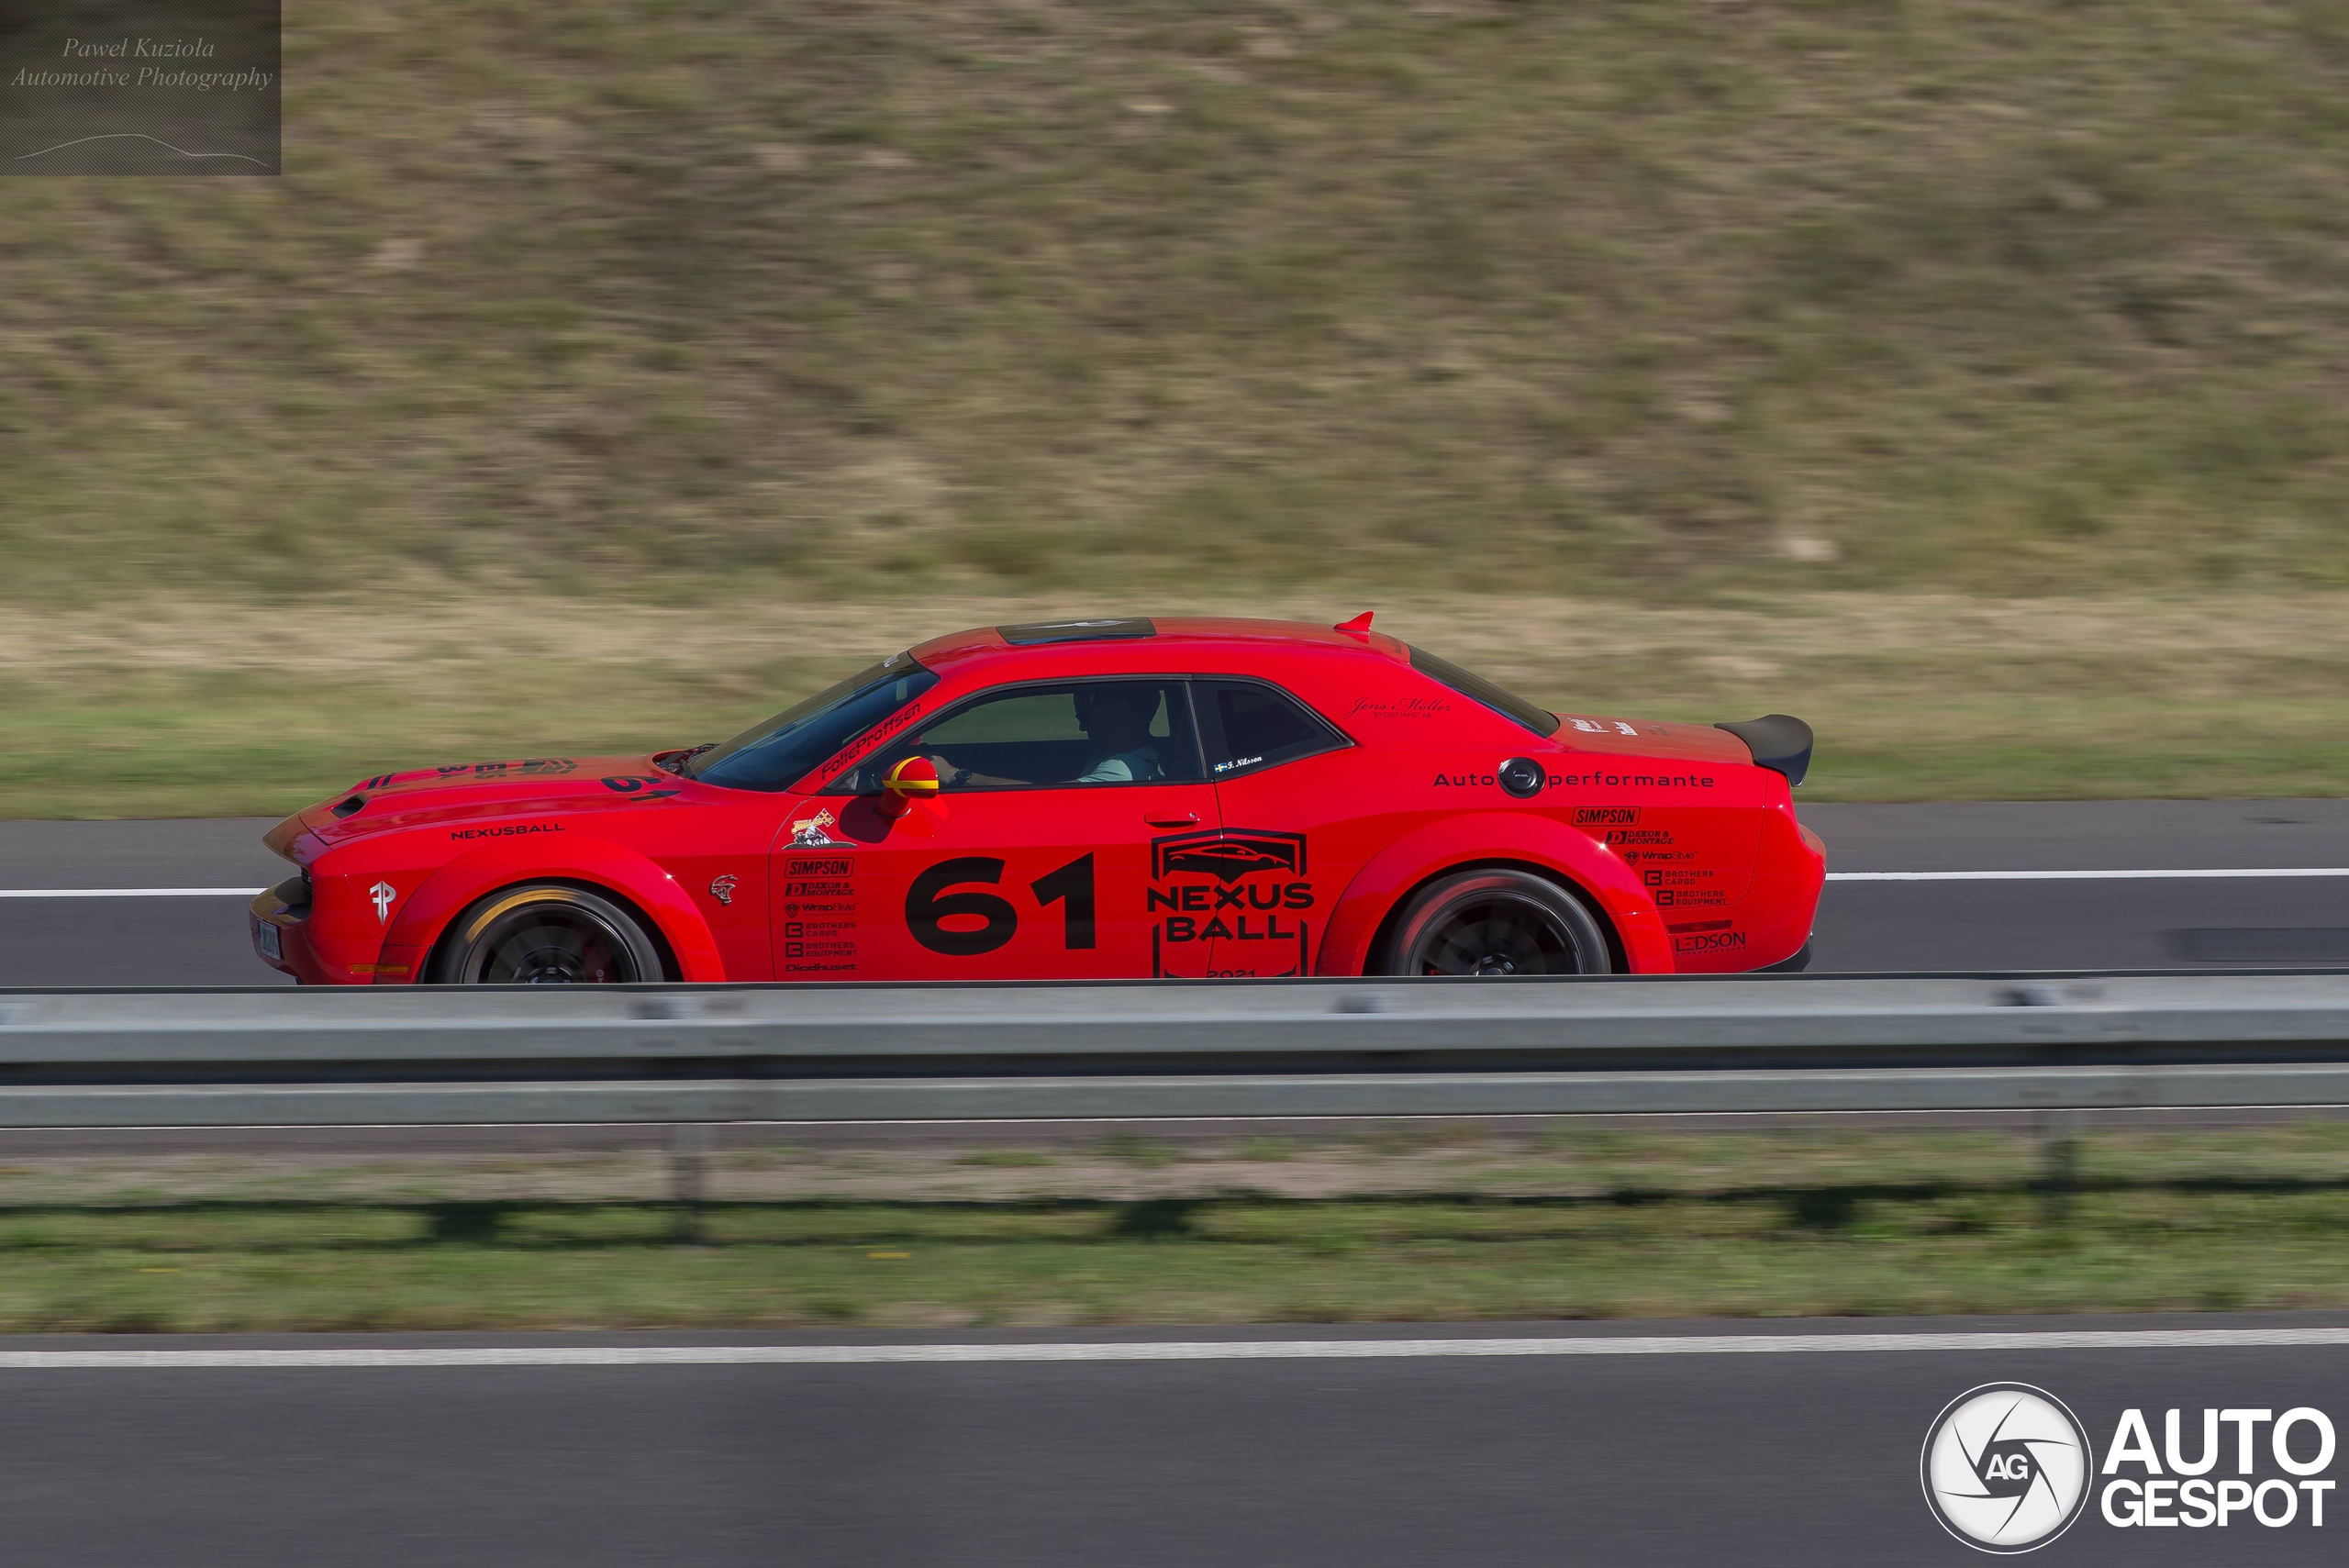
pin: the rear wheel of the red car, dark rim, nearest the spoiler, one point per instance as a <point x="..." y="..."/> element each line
<point x="1495" y="924"/>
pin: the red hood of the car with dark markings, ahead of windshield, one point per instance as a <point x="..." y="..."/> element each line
<point x="462" y="792"/>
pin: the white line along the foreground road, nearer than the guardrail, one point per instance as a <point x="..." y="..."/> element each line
<point x="1176" y="1351"/>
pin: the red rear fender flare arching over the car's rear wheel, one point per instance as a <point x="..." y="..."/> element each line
<point x="1495" y="837"/>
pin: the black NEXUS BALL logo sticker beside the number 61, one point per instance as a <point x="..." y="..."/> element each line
<point x="1234" y="888"/>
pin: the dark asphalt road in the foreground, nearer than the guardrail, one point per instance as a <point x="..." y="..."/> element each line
<point x="1793" y="1459"/>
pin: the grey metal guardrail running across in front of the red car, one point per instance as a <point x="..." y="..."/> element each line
<point x="1171" y="1050"/>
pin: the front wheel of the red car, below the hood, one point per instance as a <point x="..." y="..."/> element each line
<point x="546" y="935"/>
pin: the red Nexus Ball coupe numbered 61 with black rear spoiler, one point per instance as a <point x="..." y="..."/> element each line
<point x="1098" y="799"/>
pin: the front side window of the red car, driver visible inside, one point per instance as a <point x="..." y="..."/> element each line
<point x="1063" y="736"/>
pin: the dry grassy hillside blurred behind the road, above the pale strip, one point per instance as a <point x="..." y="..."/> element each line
<point x="767" y="299"/>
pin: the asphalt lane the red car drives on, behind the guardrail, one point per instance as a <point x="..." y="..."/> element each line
<point x="1864" y="926"/>
